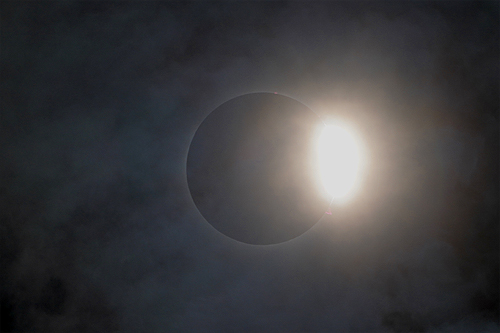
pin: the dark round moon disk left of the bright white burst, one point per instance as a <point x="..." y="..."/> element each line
<point x="250" y="169"/>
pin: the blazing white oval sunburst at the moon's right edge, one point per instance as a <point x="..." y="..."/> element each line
<point x="339" y="159"/>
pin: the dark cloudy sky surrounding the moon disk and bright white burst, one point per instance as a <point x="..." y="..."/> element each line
<point x="100" y="102"/>
